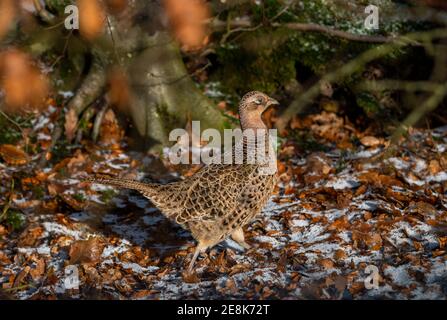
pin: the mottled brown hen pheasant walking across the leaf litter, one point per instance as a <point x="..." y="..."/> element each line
<point x="219" y="199"/>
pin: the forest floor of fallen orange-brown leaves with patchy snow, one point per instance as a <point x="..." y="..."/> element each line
<point x="341" y="209"/>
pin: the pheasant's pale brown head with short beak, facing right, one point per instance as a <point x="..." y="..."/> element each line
<point x="251" y="108"/>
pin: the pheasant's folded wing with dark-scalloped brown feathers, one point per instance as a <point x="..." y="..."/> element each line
<point x="213" y="192"/>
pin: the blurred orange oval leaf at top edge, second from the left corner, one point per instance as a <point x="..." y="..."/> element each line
<point x="91" y="18"/>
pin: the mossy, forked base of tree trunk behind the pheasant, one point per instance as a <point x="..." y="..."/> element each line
<point x="162" y="94"/>
